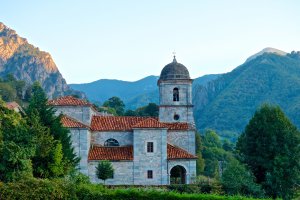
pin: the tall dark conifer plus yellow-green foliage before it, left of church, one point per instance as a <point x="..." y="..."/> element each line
<point x="55" y="154"/>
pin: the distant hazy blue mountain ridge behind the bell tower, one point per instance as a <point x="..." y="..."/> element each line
<point x="134" y="94"/>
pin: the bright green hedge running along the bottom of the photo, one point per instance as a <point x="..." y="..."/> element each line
<point x="61" y="189"/>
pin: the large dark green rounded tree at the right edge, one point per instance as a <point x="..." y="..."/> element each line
<point x="270" y="146"/>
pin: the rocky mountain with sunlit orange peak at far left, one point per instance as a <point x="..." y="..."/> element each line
<point x="28" y="63"/>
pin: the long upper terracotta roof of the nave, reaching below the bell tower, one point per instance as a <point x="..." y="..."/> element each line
<point x="126" y="123"/>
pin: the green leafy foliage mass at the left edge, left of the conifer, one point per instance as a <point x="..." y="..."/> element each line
<point x="16" y="146"/>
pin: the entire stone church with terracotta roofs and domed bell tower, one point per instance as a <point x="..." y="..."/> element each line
<point x="142" y="150"/>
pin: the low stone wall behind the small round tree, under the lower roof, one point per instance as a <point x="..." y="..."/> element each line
<point x="123" y="173"/>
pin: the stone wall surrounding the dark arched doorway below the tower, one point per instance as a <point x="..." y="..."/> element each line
<point x="189" y="166"/>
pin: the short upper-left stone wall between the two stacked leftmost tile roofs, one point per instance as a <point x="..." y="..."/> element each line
<point x="81" y="113"/>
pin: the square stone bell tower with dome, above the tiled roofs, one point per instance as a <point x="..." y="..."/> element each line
<point x="175" y="94"/>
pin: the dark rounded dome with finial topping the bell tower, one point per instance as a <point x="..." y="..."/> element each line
<point x="174" y="70"/>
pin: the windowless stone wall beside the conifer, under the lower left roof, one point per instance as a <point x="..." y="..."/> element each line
<point x="81" y="142"/>
